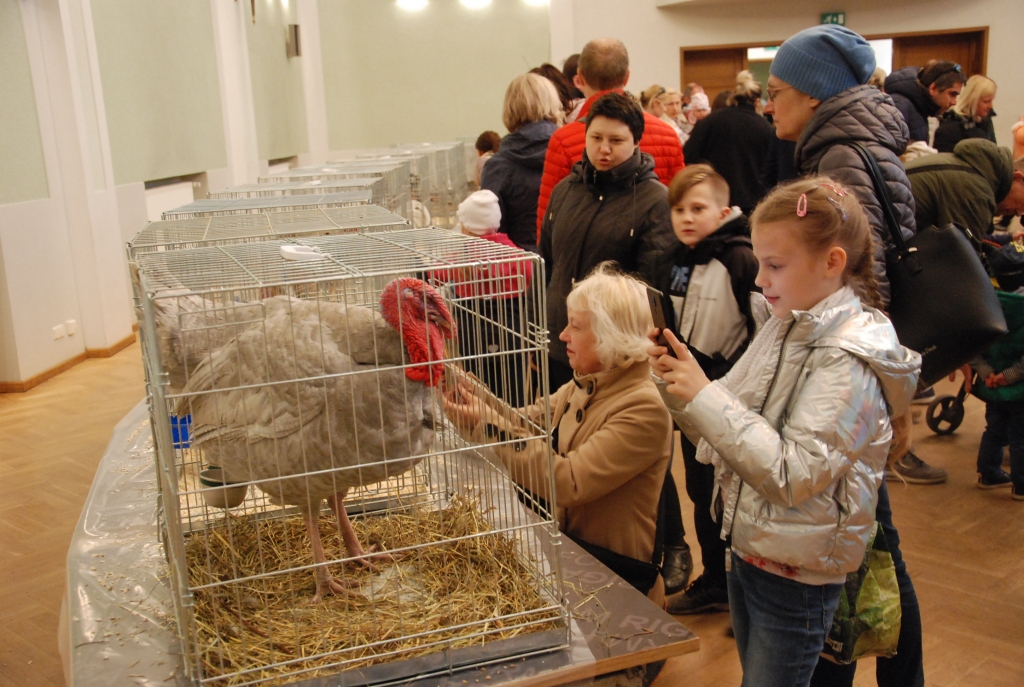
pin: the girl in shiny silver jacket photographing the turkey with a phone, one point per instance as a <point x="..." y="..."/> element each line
<point x="799" y="431"/>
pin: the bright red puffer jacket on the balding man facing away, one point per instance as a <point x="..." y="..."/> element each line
<point x="568" y="144"/>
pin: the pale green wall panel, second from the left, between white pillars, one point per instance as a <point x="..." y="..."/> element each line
<point x="159" y="71"/>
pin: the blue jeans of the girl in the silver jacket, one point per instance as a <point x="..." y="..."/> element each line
<point x="781" y="625"/>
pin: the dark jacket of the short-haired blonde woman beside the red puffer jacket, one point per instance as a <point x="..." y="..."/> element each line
<point x="515" y="176"/>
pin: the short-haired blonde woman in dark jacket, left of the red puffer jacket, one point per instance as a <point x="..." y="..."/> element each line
<point x="533" y="112"/>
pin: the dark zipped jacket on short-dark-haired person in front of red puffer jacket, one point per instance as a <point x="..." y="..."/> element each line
<point x="621" y="216"/>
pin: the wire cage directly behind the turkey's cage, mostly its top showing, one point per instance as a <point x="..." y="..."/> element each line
<point x="222" y="230"/>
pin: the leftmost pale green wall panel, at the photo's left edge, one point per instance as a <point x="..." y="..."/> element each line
<point x="23" y="169"/>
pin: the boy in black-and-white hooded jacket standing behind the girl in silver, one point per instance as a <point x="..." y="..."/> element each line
<point x="707" y="282"/>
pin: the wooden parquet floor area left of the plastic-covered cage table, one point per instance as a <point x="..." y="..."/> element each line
<point x="52" y="440"/>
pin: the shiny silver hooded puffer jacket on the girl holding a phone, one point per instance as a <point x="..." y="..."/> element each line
<point x="799" y="482"/>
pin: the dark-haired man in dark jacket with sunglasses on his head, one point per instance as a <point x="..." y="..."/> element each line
<point x="920" y="94"/>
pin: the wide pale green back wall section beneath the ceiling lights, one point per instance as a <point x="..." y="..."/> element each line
<point x="393" y="76"/>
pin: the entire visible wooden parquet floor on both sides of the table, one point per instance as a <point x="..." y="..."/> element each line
<point x="965" y="547"/>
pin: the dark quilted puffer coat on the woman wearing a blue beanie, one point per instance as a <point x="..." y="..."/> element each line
<point x="867" y="115"/>
